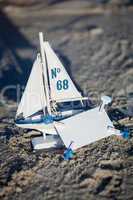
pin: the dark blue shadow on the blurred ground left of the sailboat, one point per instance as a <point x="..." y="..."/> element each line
<point x="14" y="69"/>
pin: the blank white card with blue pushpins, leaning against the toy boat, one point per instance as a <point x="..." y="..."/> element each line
<point x="85" y="128"/>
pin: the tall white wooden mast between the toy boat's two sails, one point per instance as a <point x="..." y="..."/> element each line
<point x="43" y="56"/>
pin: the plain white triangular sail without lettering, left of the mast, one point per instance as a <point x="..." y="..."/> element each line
<point x="33" y="98"/>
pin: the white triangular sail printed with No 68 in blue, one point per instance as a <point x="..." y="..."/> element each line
<point x="61" y="86"/>
